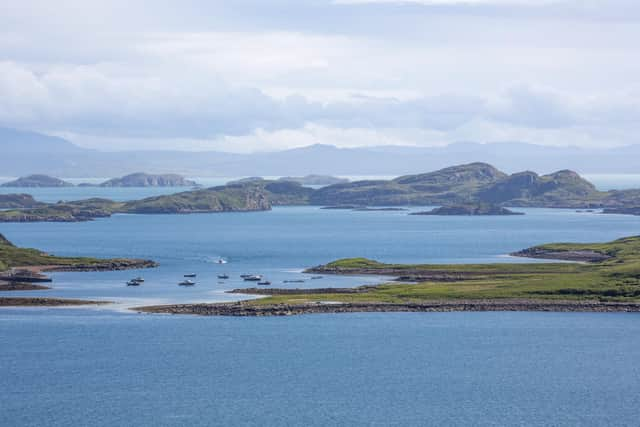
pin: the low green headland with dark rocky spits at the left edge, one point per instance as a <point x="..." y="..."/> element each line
<point x="21" y="269"/>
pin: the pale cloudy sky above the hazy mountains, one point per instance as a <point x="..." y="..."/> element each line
<point x="259" y="75"/>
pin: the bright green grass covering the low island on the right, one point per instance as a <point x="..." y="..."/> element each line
<point x="615" y="279"/>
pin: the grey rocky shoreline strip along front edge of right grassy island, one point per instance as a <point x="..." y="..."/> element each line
<point x="244" y="309"/>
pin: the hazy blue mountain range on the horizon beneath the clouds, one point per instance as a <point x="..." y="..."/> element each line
<point x="24" y="153"/>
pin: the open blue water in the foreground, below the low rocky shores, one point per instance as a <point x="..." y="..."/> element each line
<point x="462" y="369"/>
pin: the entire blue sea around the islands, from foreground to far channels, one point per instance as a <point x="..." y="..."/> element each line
<point x="108" y="365"/>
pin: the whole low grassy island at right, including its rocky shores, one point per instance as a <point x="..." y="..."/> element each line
<point x="606" y="278"/>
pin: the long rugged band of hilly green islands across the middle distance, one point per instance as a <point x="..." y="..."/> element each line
<point x="475" y="184"/>
